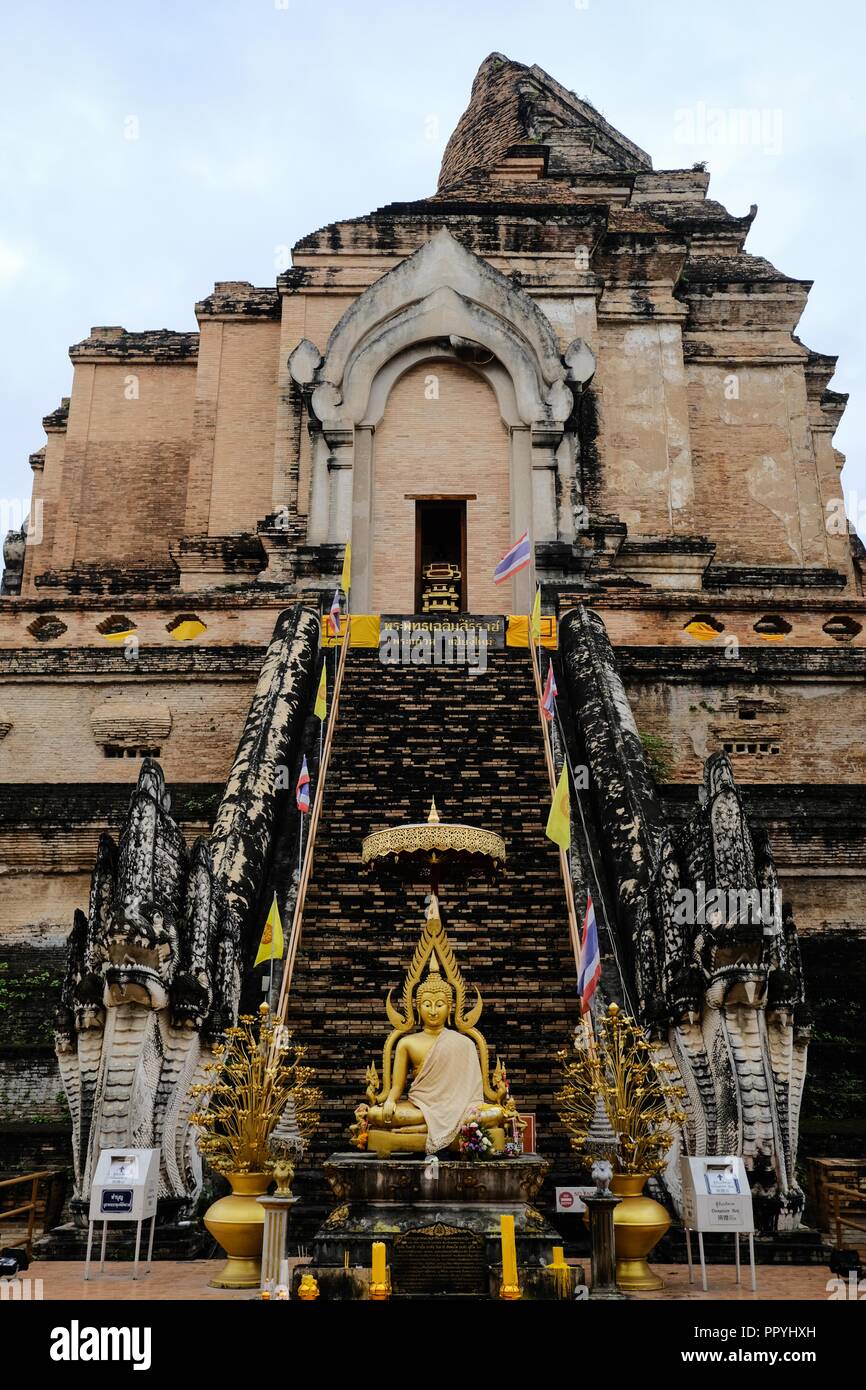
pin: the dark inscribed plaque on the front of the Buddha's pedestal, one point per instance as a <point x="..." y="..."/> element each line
<point x="440" y="1260"/>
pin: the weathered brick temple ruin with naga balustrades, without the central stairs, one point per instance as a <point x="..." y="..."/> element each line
<point x="561" y="341"/>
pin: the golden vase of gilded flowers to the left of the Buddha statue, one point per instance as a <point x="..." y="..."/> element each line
<point x="259" y="1072"/>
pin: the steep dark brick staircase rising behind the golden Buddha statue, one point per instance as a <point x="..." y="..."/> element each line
<point x="405" y="735"/>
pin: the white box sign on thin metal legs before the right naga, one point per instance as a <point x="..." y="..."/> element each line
<point x="717" y="1197"/>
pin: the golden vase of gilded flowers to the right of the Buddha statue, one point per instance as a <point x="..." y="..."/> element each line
<point x="621" y="1074"/>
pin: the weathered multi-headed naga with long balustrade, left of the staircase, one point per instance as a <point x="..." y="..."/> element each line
<point x="154" y="974"/>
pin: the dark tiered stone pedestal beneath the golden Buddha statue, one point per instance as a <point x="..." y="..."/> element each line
<point x="443" y="1234"/>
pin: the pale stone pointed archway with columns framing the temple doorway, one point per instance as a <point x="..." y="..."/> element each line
<point x="441" y="302"/>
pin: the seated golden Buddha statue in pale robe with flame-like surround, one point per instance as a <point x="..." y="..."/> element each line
<point x="434" y="1077"/>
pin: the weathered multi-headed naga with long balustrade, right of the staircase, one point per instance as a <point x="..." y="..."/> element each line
<point x="710" y="957"/>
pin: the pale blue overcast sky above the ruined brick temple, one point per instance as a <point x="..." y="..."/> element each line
<point x="148" y="151"/>
